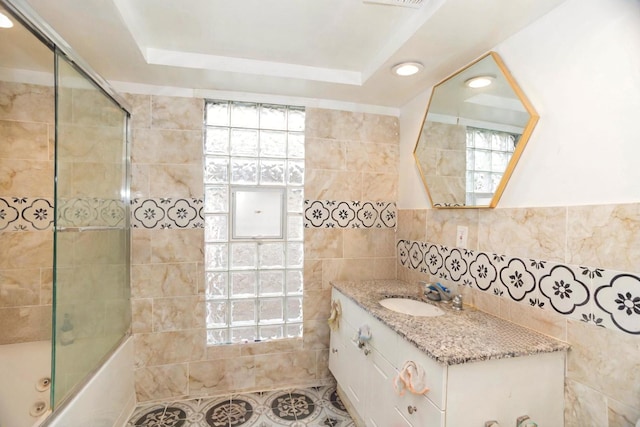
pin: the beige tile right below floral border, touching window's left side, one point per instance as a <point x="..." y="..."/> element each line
<point x="175" y="246"/>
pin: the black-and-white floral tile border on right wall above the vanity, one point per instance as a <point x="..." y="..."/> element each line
<point x="601" y="297"/>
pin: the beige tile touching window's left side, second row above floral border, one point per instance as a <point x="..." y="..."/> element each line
<point x="160" y="146"/>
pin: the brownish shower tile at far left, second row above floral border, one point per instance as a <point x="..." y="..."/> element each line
<point x="24" y="140"/>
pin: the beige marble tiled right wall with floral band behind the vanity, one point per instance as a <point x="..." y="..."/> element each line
<point x="520" y="265"/>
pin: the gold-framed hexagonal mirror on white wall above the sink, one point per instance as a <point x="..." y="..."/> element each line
<point x="477" y="124"/>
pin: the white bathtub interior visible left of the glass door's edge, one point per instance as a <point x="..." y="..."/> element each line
<point x="24" y="371"/>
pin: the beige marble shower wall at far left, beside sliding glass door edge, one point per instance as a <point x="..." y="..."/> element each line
<point x="26" y="194"/>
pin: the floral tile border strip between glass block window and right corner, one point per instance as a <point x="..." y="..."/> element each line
<point x="349" y="214"/>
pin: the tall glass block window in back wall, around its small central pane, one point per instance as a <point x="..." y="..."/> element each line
<point x="253" y="286"/>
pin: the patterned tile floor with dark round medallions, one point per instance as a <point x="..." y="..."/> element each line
<point x="315" y="406"/>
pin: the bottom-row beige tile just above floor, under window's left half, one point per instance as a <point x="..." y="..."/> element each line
<point x="213" y="377"/>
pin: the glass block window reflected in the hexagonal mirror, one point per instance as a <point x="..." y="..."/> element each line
<point x="488" y="154"/>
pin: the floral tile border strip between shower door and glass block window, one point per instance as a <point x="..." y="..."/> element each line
<point x="167" y="213"/>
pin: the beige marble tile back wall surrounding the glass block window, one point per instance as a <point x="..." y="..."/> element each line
<point x="350" y="157"/>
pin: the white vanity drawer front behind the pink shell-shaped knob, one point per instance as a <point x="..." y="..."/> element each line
<point x="436" y="374"/>
